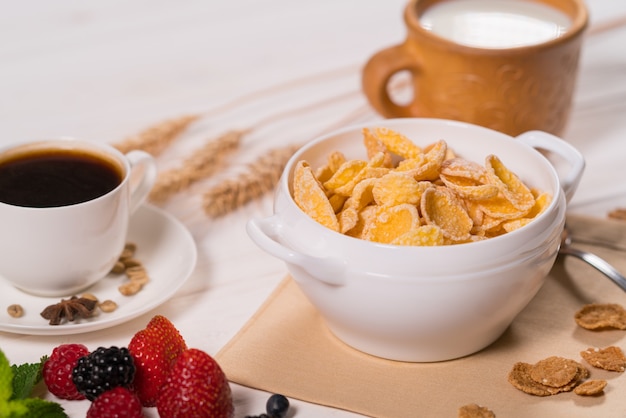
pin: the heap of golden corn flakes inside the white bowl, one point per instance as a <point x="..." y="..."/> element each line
<point x="459" y="200"/>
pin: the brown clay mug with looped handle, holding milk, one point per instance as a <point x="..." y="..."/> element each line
<point x="512" y="89"/>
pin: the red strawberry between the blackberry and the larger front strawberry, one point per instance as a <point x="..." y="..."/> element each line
<point x="154" y="350"/>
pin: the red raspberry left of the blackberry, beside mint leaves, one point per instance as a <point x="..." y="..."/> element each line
<point x="57" y="370"/>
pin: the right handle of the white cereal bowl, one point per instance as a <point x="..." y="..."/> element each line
<point x="543" y="140"/>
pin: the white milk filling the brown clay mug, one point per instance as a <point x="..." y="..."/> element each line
<point x="495" y="23"/>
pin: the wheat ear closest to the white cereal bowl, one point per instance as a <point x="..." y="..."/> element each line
<point x="261" y="177"/>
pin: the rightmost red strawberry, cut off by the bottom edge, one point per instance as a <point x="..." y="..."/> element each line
<point x="195" y="388"/>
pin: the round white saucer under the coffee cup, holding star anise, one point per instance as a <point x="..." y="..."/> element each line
<point x="165" y="248"/>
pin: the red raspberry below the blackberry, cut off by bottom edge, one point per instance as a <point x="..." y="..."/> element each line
<point x="118" y="402"/>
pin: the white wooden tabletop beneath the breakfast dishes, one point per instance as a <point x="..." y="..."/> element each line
<point x="104" y="70"/>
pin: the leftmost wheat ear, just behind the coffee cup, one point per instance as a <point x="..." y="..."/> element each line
<point x="157" y="137"/>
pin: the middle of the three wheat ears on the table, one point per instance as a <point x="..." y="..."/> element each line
<point x="202" y="163"/>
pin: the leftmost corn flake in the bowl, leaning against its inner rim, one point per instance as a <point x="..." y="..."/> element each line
<point x="310" y="196"/>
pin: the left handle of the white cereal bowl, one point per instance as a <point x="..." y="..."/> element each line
<point x="265" y="233"/>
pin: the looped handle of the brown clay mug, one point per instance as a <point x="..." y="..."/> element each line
<point x="378" y="72"/>
